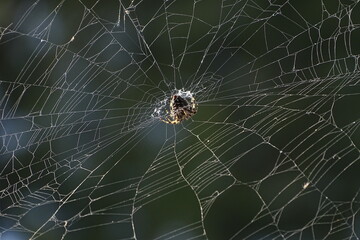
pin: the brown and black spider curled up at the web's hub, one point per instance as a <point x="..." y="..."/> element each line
<point x="180" y="109"/>
